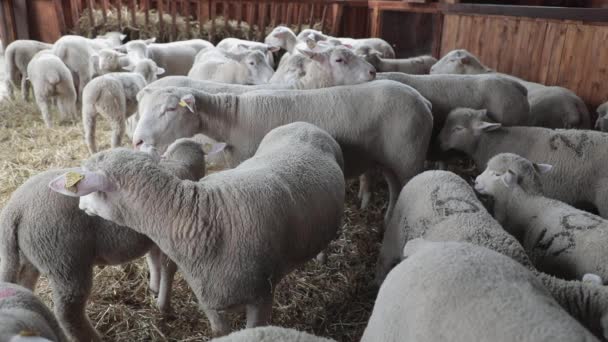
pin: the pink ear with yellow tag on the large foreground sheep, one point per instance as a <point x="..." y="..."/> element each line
<point x="81" y="183"/>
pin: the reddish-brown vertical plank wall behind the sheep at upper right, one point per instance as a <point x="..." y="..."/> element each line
<point x="553" y="52"/>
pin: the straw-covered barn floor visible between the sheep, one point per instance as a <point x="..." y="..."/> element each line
<point x="332" y="300"/>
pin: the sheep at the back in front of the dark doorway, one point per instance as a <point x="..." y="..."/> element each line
<point x="416" y="66"/>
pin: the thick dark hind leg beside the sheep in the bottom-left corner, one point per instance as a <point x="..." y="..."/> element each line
<point x="70" y="299"/>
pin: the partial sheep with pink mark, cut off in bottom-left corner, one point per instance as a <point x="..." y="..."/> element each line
<point x="24" y="317"/>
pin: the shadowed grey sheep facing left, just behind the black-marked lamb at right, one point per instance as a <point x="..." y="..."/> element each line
<point x="580" y="155"/>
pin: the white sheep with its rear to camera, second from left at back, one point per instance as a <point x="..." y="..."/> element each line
<point x="52" y="80"/>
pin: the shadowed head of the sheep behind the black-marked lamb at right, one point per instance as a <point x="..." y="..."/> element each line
<point x="462" y="129"/>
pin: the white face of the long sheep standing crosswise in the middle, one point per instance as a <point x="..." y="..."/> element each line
<point x="164" y="117"/>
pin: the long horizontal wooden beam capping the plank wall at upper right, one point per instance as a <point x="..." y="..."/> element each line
<point x="561" y="13"/>
